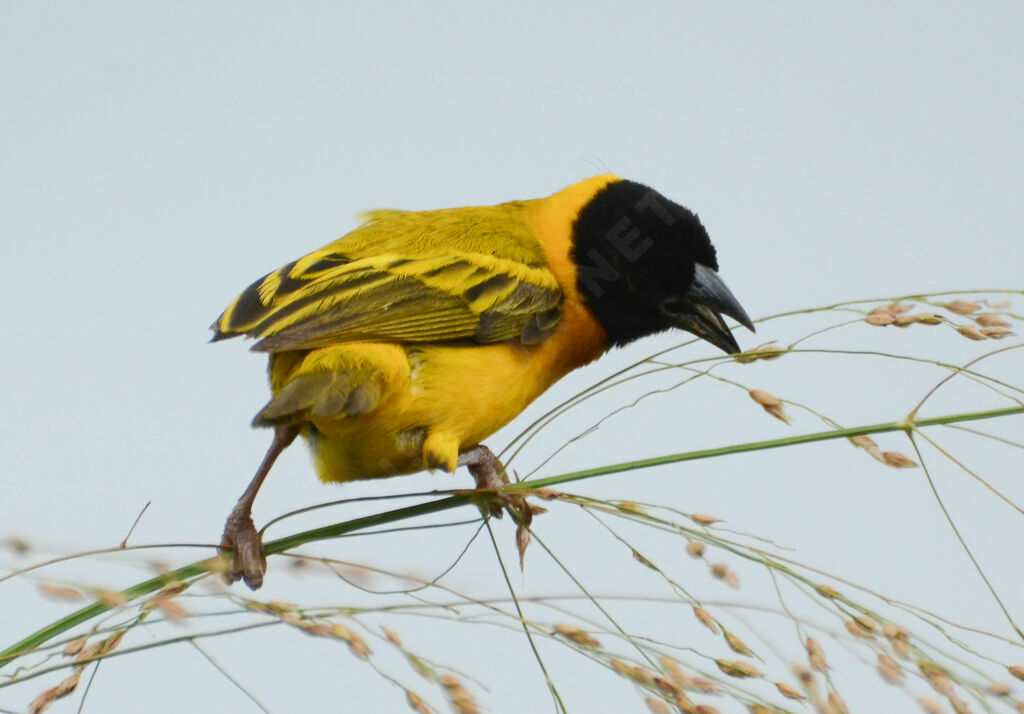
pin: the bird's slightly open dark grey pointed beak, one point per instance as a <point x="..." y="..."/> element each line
<point x="700" y="311"/>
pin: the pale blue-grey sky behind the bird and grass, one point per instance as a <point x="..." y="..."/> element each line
<point x="156" y="158"/>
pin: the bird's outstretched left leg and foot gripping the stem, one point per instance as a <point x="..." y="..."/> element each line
<point x="249" y="561"/>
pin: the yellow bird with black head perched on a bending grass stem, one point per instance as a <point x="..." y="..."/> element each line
<point x="404" y="345"/>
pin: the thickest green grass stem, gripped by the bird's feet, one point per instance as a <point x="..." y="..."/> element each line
<point x="282" y="544"/>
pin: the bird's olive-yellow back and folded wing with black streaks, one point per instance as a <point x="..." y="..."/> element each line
<point x="467" y="274"/>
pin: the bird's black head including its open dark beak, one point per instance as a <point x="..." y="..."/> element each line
<point x="647" y="265"/>
